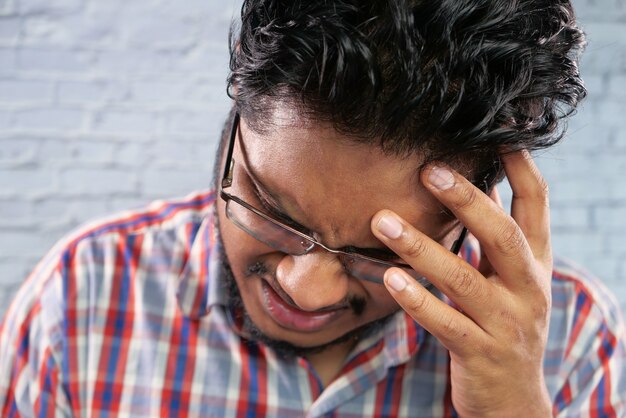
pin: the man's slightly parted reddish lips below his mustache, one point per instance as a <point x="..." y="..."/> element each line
<point x="288" y="316"/>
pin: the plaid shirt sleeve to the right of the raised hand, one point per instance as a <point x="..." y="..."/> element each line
<point x="590" y="380"/>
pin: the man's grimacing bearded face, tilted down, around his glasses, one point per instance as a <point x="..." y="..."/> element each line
<point x="324" y="182"/>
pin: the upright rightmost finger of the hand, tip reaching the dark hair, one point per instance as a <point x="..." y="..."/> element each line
<point x="530" y="205"/>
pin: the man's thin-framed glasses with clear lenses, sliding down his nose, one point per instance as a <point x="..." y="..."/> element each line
<point x="288" y="240"/>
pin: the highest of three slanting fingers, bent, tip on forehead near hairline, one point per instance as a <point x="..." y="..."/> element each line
<point x="501" y="239"/>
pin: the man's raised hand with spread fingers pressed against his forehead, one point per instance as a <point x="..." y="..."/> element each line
<point x="497" y="337"/>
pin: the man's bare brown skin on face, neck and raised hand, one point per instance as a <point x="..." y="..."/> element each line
<point x="496" y="343"/>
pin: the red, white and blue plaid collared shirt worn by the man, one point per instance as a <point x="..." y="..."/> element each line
<point x="127" y="317"/>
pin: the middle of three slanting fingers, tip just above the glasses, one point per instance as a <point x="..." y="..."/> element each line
<point x="457" y="279"/>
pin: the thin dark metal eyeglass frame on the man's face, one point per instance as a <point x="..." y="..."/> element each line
<point x="227" y="181"/>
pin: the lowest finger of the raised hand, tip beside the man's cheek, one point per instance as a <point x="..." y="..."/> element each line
<point x="457" y="332"/>
